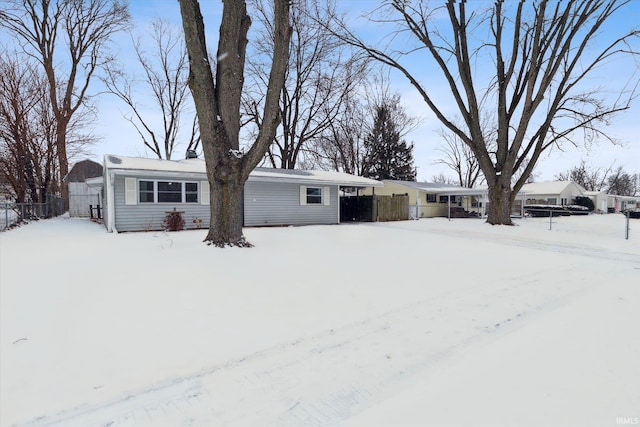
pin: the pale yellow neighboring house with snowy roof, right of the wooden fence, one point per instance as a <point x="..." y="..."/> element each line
<point x="428" y="200"/>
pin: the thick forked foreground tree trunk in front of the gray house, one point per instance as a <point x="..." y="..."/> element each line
<point x="218" y="107"/>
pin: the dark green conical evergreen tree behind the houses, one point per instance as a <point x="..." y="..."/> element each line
<point x="386" y="155"/>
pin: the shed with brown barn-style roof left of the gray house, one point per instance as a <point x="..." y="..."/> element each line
<point x="81" y="195"/>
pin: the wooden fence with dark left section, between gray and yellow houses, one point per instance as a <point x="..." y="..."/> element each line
<point x="374" y="208"/>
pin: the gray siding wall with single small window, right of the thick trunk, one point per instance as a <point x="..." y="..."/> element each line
<point x="270" y="203"/>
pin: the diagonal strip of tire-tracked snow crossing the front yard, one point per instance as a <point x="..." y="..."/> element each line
<point x="323" y="379"/>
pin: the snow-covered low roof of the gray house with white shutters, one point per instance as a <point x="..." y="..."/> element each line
<point x="141" y="166"/>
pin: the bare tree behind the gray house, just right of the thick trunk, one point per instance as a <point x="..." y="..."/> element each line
<point x="321" y="74"/>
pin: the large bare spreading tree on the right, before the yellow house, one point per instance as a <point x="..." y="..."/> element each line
<point x="543" y="54"/>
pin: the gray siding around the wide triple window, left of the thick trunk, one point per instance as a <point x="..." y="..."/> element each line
<point x="150" y="216"/>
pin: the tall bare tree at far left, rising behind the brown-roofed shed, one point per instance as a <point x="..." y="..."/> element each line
<point x="45" y="28"/>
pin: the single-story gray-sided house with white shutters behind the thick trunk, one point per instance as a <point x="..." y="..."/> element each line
<point x="138" y="194"/>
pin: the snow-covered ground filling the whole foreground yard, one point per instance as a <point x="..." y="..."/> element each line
<point x="416" y="323"/>
